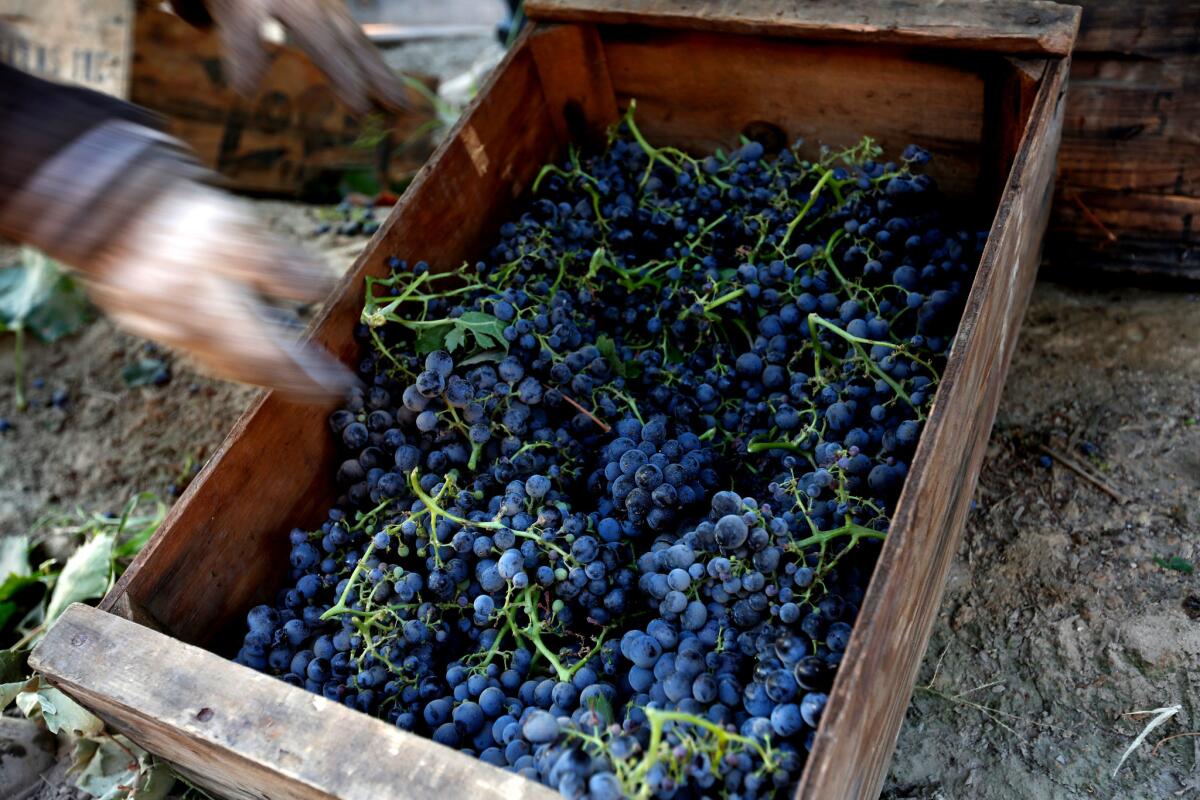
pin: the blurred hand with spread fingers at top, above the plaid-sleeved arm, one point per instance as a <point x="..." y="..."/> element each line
<point x="325" y="31"/>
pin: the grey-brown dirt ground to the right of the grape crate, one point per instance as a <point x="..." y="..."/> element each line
<point x="1057" y="619"/>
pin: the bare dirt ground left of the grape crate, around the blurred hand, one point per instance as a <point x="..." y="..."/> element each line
<point x="110" y="442"/>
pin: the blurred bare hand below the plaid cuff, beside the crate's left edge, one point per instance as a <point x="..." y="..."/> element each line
<point x="190" y="273"/>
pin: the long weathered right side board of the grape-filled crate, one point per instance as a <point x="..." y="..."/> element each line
<point x="871" y="696"/>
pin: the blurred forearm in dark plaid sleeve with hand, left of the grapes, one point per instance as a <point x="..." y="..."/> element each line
<point x="89" y="181"/>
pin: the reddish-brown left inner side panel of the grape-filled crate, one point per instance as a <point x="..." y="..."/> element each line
<point x="229" y="533"/>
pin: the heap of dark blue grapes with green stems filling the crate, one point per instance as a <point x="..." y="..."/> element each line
<point x="610" y="497"/>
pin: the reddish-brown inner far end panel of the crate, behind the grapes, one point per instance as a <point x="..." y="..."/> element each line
<point x="703" y="91"/>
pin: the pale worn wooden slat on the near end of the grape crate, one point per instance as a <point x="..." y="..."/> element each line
<point x="191" y="708"/>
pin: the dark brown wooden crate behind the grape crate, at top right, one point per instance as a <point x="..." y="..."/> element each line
<point x="1130" y="167"/>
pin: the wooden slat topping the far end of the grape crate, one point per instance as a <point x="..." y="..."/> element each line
<point x="1030" y="27"/>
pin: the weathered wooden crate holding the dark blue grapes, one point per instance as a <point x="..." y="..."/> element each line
<point x="945" y="77"/>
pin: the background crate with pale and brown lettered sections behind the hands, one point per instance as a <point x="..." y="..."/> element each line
<point x="292" y="137"/>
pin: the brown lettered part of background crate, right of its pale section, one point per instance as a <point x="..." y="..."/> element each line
<point x="292" y="135"/>
